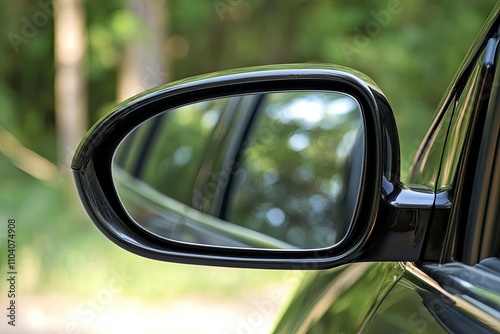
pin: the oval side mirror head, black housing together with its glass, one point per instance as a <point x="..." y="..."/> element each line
<point x="285" y="166"/>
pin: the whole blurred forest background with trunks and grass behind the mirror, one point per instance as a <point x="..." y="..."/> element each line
<point x="65" y="63"/>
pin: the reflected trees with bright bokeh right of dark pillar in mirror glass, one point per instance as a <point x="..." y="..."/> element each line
<point x="294" y="177"/>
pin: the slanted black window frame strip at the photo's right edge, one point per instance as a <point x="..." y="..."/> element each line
<point x="465" y="233"/>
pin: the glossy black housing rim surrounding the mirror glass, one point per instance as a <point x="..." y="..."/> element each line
<point x="92" y="165"/>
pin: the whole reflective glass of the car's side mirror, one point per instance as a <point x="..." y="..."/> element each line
<point x="273" y="171"/>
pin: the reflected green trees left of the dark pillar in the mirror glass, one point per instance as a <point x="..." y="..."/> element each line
<point x="173" y="147"/>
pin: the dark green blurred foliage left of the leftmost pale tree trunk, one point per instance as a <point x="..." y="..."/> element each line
<point x="26" y="58"/>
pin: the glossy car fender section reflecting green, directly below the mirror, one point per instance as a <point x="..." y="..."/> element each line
<point x="339" y="300"/>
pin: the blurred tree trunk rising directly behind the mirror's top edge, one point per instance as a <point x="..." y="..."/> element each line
<point x="144" y="64"/>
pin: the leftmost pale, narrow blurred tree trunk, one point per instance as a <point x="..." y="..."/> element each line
<point x="70" y="84"/>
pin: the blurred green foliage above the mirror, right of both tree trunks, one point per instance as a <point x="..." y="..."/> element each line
<point x="411" y="49"/>
